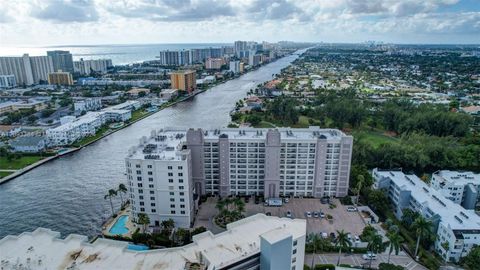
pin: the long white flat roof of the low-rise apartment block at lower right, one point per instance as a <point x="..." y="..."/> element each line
<point x="457" y="217"/>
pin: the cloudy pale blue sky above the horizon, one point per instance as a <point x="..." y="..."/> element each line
<point x="87" y="22"/>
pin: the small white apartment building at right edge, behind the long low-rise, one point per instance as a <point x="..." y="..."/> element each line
<point x="461" y="187"/>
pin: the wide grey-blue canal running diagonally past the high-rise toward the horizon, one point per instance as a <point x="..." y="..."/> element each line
<point x="66" y="195"/>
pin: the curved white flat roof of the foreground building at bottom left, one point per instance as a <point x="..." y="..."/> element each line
<point x="43" y="249"/>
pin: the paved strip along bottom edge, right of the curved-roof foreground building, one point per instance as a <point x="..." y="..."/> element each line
<point x="357" y="260"/>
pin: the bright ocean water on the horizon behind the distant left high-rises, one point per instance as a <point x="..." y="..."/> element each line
<point x="120" y="54"/>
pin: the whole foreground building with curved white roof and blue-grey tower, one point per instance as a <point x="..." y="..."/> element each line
<point x="256" y="242"/>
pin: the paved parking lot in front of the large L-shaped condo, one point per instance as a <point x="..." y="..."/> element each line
<point x="350" y="222"/>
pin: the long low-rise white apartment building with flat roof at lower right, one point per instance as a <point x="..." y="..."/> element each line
<point x="457" y="229"/>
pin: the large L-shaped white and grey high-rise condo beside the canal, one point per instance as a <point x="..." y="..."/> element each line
<point x="169" y="167"/>
